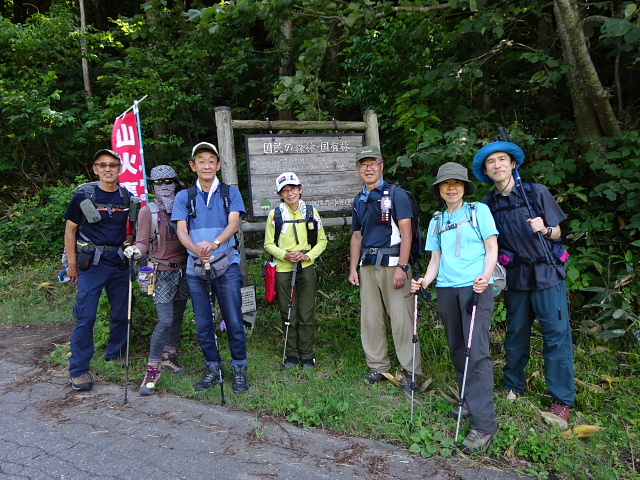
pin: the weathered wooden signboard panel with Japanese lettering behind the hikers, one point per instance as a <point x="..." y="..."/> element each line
<point x="324" y="163"/>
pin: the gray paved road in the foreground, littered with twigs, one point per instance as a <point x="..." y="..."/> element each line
<point x="48" y="431"/>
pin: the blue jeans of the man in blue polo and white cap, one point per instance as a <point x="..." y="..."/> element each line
<point x="227" y="290"/>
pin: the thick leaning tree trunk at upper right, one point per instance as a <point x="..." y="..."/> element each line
<point x="591" y="105"/>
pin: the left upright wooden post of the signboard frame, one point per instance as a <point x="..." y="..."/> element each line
<point x="227" y="151"/>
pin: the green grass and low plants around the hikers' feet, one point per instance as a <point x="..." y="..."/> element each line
<point x="333" y="397"/>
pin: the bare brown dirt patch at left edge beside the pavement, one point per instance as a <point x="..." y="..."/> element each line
<point x="26" y="344"/>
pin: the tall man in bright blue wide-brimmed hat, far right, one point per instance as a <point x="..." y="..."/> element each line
<point x="529" y="248"/>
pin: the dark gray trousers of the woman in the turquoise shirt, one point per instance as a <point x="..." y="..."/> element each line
<point x="452" y="308"/>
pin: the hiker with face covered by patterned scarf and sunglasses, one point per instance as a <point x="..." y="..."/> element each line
<point x="157" y="238"/>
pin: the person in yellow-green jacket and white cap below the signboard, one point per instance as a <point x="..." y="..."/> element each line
<point x="298" y="243"/>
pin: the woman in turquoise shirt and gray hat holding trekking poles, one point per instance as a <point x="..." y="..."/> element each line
<point x="464" y="250"/>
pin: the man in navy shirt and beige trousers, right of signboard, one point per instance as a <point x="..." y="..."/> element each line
<point x="381" y="246"/>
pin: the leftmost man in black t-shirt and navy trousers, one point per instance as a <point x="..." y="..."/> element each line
<point x="96" y="261"/>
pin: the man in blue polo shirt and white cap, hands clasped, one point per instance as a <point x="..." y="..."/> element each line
<point x="206" y="228"/>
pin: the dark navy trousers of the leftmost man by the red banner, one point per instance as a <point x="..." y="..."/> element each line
<point x="90" y="284"/>
